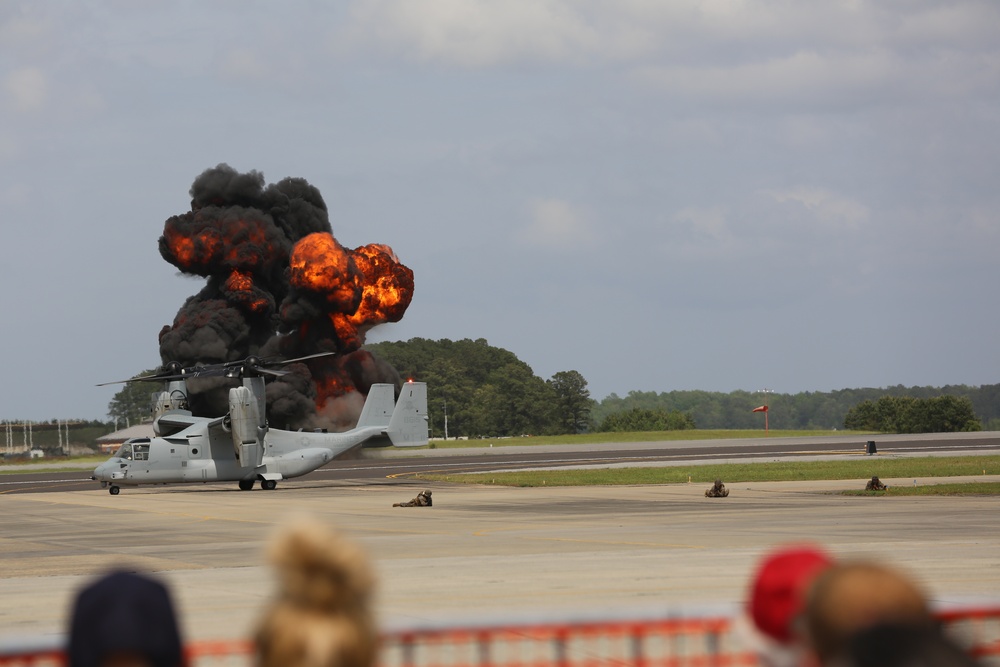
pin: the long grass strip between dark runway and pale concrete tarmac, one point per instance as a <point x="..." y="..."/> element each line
<point x="856" y="467"/>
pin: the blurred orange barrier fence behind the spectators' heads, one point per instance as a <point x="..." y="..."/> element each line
<point x="656" y="642"/>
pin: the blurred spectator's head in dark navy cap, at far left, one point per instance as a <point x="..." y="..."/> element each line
<point x="124" y="620"/>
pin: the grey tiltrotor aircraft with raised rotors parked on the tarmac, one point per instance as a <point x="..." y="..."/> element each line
<point x="239" y="446"/>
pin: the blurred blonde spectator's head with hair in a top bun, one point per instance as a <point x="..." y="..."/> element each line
<point x="322" y="614"/>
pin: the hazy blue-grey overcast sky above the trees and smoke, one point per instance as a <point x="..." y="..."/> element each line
<point x="710" y="194"/>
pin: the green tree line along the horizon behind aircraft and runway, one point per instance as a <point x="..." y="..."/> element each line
<point x="478" y="390"/>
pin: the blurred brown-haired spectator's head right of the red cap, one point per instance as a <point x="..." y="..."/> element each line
<point x="855" y="596"/>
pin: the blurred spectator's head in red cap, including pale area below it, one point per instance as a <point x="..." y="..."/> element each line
<point x="776" y="603"/>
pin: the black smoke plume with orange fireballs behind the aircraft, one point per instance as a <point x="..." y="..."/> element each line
<point x="279" y="285"/>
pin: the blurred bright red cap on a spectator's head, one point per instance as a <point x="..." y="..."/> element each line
<point x="778" y="589"/>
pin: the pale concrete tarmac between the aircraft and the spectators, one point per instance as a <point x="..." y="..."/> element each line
<point x="480" y="551"/>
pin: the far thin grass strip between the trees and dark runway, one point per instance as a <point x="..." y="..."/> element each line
<point x="631" y="436"/>
